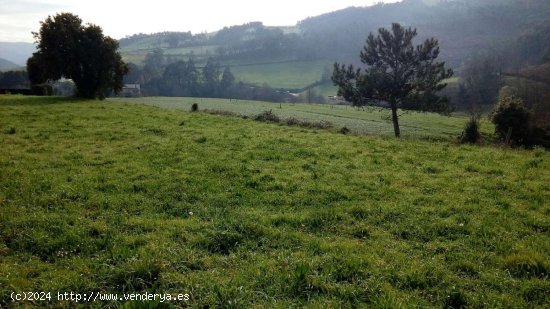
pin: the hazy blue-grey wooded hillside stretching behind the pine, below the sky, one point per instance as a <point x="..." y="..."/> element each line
<point x="261" y="54"/>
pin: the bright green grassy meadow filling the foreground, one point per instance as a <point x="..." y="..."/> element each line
<point x="117" y="197"/>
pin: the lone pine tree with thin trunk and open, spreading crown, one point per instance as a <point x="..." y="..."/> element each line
<point x="397" y="74"/>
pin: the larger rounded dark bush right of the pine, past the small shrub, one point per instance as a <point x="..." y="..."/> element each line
<point x="512" y="120"/>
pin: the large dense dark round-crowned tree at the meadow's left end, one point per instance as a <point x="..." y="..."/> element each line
<point x="68" y="49"/>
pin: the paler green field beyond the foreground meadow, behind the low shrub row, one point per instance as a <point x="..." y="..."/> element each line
<point x="363" y="121"/>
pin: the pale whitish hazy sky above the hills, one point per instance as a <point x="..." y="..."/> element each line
<point x="118" y="18"/>
